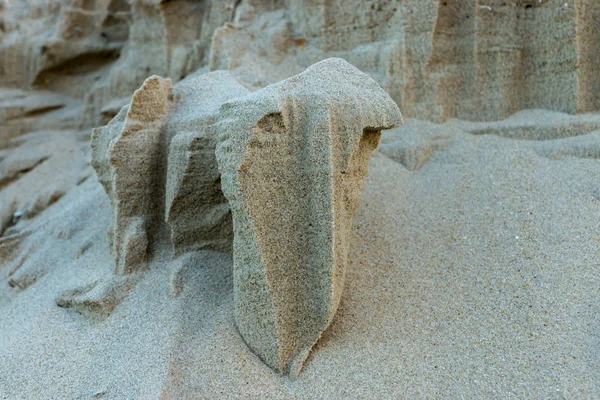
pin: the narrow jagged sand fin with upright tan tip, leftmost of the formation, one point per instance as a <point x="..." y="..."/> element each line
<point x="126" y="157"/>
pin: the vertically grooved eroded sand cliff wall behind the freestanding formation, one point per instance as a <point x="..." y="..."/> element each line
<point x="467" y="59"/>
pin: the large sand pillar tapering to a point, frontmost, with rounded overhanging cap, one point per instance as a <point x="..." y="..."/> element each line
<point x="293" y="157"/>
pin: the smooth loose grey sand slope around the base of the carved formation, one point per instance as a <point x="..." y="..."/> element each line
<point x="475" y="273"/>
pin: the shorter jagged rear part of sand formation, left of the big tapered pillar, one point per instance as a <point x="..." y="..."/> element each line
<point x="156" y="162"/>
